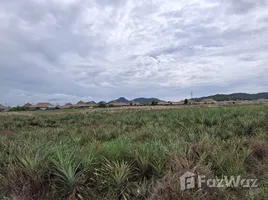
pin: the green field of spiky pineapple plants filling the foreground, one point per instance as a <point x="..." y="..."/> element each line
<point x="133" y="154"/>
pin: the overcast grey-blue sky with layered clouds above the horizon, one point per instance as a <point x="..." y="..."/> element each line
<point x="66" y="50"/>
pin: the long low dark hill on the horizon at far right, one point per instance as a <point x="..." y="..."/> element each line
<point x="235" y="96"/>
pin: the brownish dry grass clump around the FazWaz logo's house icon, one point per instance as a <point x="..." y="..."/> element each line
<point x="169" y="186"/>
